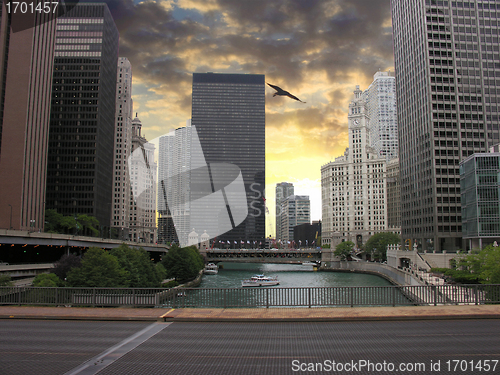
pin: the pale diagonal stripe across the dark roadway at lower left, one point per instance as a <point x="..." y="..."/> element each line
<point x="96" y="364"/>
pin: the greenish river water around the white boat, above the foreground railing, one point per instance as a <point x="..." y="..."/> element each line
<point x="289" y="275"/>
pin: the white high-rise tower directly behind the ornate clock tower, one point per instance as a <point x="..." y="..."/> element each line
<point x="381" y="108"/>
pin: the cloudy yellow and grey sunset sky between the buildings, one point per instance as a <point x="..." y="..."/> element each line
<point x="318" y="50"/>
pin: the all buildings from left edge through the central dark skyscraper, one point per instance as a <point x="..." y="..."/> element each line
<point x="69" y="140"/>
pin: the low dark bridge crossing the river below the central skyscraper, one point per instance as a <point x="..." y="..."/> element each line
<point x="291" y="256"/>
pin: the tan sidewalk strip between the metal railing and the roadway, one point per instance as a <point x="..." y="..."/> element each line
<point x="325" y="314"/>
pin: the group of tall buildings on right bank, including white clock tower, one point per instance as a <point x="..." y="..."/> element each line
<point x="447" y="64"/>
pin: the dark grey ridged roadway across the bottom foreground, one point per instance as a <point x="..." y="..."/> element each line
<point x="90" y="347"/>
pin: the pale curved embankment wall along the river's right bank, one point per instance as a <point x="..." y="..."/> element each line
<point x="393" y="275"/>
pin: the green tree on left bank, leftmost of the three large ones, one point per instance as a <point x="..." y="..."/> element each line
<point x="98" y="269"/>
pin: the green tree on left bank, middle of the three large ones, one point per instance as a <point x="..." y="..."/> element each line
<point x="141" y="271"/>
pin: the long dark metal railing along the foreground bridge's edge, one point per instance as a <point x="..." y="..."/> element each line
<point x="254" y="297"/>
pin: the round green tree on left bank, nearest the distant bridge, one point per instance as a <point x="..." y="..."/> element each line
<point x="183" y="263"/>
